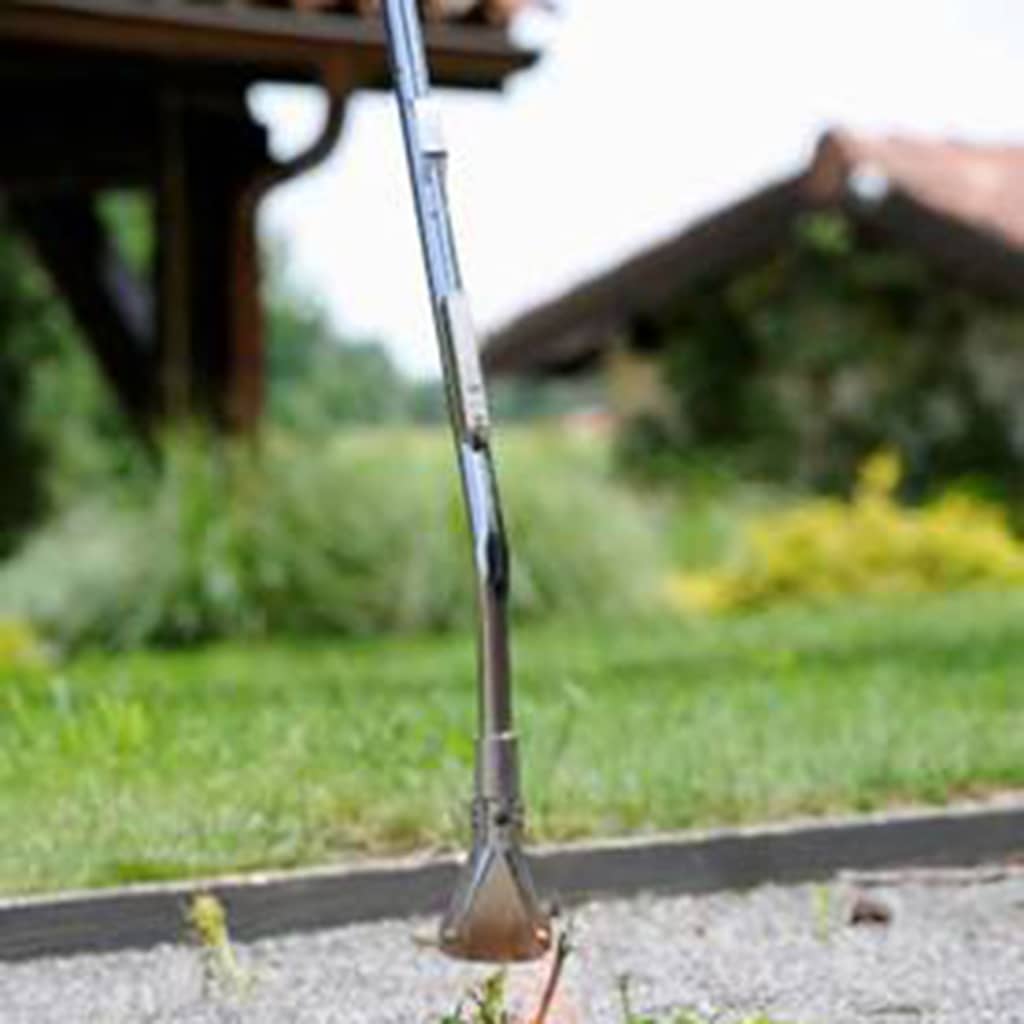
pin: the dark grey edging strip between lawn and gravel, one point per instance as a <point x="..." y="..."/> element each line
<point x="142" y="917"/>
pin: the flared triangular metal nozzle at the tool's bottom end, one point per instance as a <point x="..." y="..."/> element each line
<point x="495" y="915"/>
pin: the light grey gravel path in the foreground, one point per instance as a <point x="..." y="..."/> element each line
<point x="954" y="952"/>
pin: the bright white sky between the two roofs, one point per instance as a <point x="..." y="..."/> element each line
<point x="644" y="115"/>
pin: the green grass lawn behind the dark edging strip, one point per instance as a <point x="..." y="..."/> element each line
<point x="147" y="766"/>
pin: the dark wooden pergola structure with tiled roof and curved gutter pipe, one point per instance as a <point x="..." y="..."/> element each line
<point x="151" y="95"/>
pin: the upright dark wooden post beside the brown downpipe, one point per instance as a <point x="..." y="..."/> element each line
<point x="209" y="304"/>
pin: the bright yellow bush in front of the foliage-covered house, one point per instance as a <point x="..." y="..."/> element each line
<point x="870" y="545"/>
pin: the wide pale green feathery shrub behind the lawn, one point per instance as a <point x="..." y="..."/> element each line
<point x="359" y="537"/>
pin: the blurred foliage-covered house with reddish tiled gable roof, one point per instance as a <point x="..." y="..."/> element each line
<point x="875" y="297"/>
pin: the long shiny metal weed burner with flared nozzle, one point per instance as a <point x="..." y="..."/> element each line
<point x="494" y="914"/>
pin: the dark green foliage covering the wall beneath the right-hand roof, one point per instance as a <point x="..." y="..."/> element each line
<point x="840" y="345"/>
